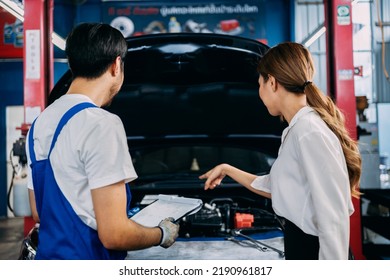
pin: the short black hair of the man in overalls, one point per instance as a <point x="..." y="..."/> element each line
<point x="92" y="47"/>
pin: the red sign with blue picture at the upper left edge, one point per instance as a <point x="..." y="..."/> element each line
<point x="11" y="36"/>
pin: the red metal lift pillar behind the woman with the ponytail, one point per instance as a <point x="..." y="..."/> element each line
<point x="338" y="20"/>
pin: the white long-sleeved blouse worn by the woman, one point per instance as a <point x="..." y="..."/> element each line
<point x="309" y="183"/>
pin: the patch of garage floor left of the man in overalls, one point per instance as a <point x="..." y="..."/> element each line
<point x="11" y="236"/>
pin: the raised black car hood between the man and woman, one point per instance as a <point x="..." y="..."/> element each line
<point x="199" y="85"/>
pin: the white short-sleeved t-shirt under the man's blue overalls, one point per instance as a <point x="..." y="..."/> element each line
<point x="91" y="152"/>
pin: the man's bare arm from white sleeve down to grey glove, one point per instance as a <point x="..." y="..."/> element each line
<point x="115" y="229"/>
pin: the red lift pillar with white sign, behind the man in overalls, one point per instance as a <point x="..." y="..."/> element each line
<point x="38" y="63"/>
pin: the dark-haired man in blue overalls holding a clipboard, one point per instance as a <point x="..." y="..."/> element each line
<point x="80" y="163"/>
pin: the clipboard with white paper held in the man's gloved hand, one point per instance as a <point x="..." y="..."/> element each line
<point x="167" y="206"/>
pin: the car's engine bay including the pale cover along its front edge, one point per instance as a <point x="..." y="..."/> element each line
<point x="225" y="227"/>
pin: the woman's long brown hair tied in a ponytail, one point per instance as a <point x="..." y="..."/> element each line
<point x="292" y="66"/>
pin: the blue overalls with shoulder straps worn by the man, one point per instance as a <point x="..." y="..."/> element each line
<point x="62" y="234"/>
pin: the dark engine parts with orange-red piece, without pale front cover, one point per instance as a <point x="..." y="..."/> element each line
<point x="221" y="215"/>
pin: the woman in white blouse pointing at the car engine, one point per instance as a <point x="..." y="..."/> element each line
<point x="318" y="167"/>
